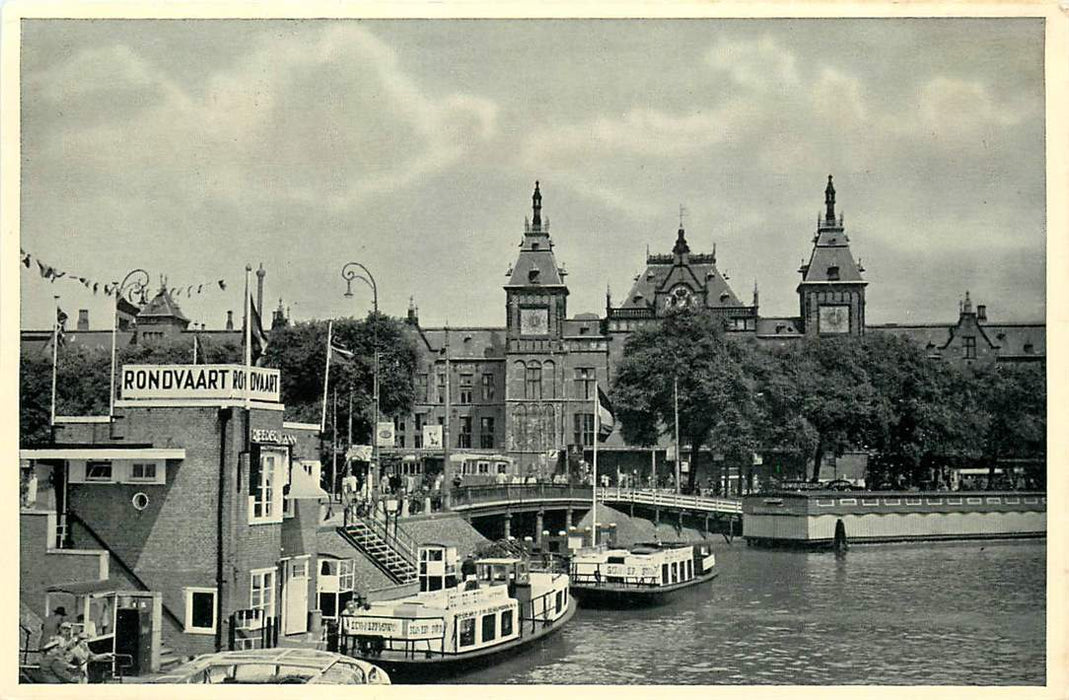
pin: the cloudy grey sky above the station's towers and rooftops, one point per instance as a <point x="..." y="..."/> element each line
<point x="194" y="148"/>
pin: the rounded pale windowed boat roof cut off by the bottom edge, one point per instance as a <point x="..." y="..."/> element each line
<point x="277" y="666"/>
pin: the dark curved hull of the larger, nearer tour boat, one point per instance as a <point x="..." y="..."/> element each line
<point x="436" y="668"/>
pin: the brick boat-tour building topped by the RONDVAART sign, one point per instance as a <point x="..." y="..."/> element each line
<point x="195" y="490"/>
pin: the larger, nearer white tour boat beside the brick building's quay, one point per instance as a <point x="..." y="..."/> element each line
<point x="456" y="624"/>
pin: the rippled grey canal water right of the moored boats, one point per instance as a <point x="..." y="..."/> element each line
<point x="959" y="614"/>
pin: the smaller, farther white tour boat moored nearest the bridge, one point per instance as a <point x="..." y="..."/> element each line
<point x="647" y="574"/>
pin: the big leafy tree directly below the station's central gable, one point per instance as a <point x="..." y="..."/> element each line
<point x="717" y="407"/>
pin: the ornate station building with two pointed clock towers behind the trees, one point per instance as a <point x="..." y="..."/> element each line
<point x="521" y="396"/>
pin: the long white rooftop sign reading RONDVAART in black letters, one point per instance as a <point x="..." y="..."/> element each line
<point x="199" y="382"/>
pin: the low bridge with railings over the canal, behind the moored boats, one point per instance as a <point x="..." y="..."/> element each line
<point x="507" y="502"/>
